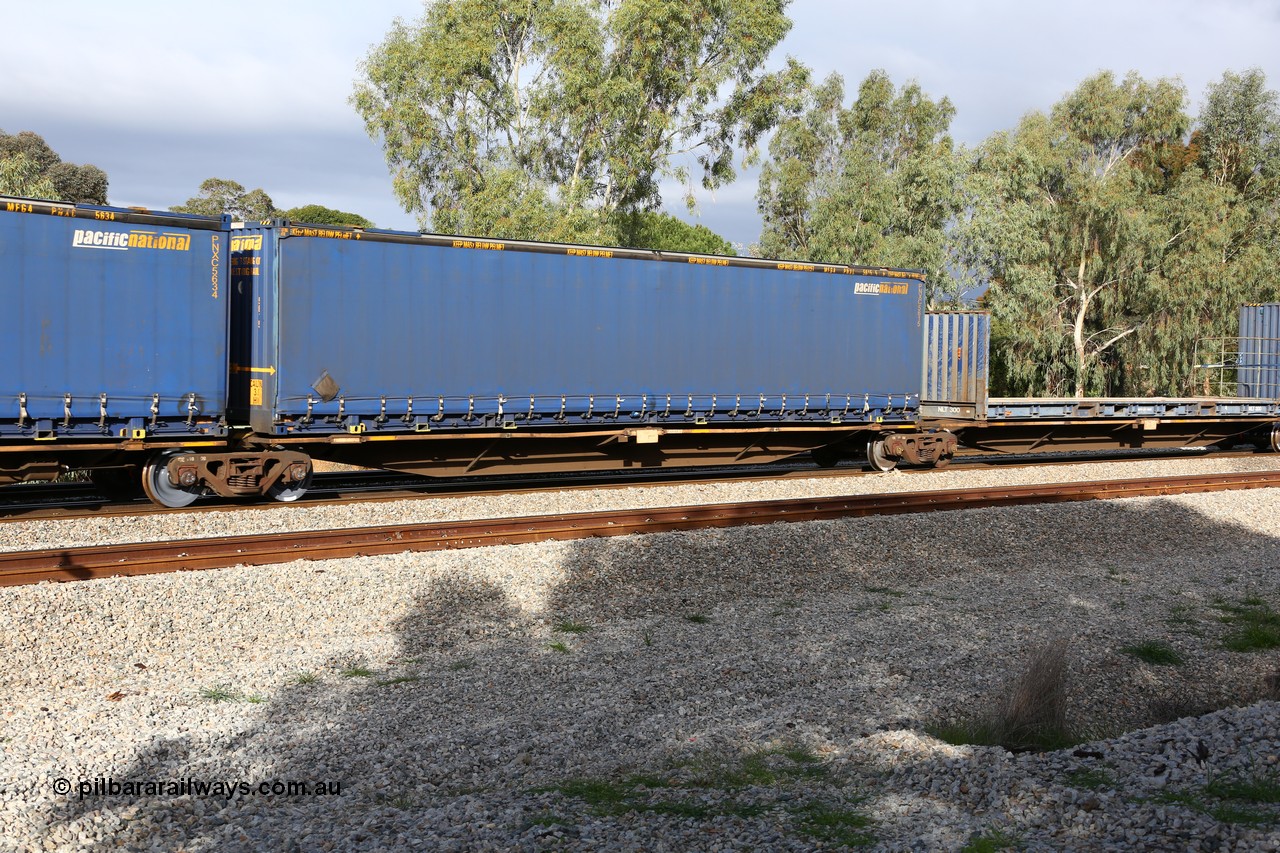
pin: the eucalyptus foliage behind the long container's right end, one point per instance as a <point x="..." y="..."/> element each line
<point x="875" y="183"/>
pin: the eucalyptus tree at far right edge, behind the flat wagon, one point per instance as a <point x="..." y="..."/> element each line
<point x="1222" y="212"/>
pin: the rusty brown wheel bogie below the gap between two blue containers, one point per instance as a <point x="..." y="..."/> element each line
<point x="177" y="478"/>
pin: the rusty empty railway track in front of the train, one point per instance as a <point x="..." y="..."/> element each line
<point x="139" y="559"/>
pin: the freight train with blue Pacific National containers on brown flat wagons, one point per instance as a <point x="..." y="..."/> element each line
<point x="195" y="355"/>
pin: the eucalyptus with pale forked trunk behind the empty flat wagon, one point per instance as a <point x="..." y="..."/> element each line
<point x="1068" y="225"/>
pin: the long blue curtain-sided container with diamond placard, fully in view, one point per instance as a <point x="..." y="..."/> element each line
<point x="377" y="331"/>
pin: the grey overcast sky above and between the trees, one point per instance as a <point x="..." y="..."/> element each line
<point x="163" y="94"/>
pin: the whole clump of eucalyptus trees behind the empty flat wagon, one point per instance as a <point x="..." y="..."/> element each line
<point x="1116" y="243"/>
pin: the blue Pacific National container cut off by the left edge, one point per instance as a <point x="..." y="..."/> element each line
<point x="116" y="323"/>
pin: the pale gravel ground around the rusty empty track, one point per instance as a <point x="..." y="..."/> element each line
<point x="760" y="688"/>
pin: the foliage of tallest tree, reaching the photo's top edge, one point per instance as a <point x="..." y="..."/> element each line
<point x="570" y="104"/>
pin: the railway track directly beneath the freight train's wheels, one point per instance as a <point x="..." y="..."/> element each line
<point x="83" y="500"/>
